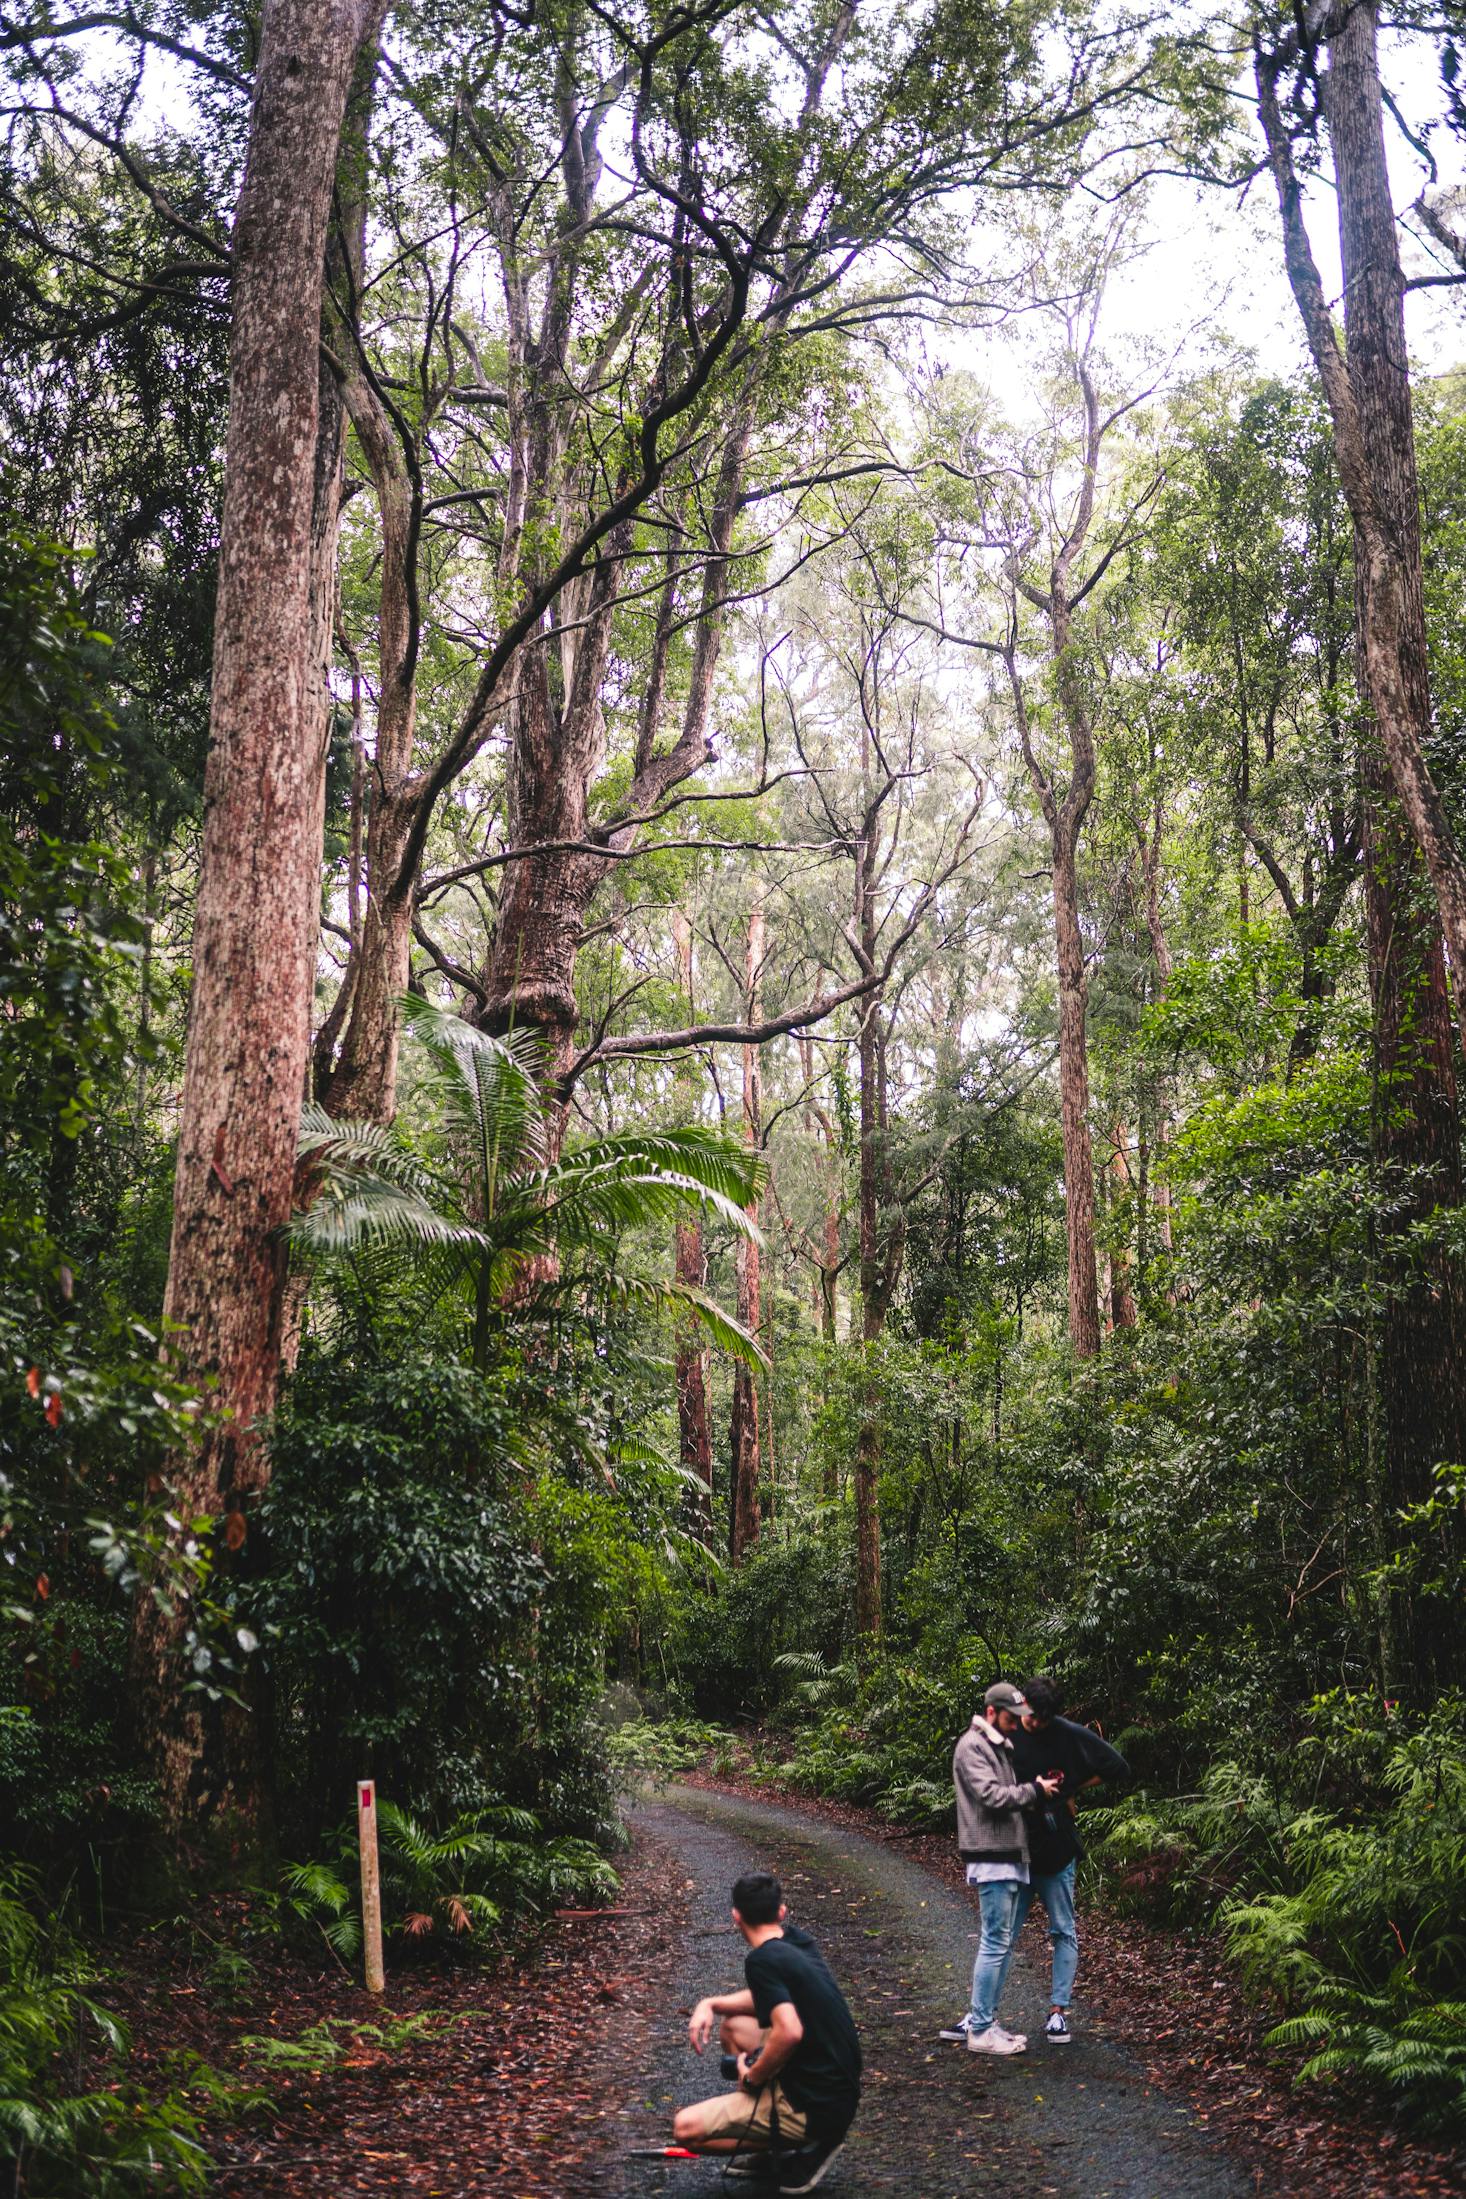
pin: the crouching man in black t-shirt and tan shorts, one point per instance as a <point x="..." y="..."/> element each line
<point x="795" y="2048"/>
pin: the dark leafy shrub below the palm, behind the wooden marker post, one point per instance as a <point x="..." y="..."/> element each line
<point x="423" y="1609"/>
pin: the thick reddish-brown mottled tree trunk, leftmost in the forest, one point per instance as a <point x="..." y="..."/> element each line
<point x="265" y="791"/>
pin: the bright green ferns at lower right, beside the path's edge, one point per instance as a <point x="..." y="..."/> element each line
<point x="1340" y="1886"/>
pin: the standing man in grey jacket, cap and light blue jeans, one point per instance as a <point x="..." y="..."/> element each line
<point x="995" y="1846"/>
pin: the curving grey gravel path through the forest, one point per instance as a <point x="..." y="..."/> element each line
<point x="935" y="2123"/>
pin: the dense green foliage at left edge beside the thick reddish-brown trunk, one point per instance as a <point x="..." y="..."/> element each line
<point x="85" y="1406"/>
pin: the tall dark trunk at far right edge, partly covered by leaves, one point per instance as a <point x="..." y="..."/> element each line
<point x="1417" y="1116"/>
